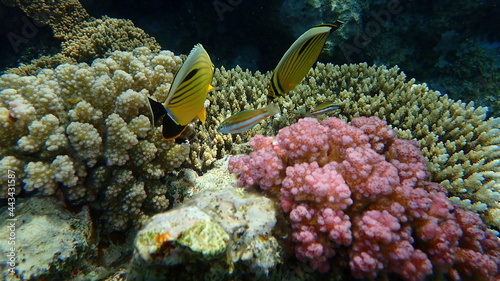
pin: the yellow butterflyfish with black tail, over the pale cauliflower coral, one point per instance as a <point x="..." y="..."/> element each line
<point x="187" y="94"/>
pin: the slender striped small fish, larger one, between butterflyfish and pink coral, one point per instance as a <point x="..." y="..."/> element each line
<point x="246" y="119"/>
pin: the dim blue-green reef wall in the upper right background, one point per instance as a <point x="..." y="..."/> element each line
<point x="454" y="49"/>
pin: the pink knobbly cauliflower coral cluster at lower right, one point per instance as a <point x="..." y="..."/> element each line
<point x="357" y="193"/>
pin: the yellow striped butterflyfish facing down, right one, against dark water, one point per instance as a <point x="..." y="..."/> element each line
<point x="299" y="59"/>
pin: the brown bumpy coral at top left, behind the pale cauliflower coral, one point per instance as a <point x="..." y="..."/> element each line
<point x="84" y="38"/>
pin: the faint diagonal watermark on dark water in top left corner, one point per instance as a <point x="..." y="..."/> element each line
<point x="28" y="31"/>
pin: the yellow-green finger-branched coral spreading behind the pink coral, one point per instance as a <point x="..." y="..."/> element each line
<point x="459" y="141"/>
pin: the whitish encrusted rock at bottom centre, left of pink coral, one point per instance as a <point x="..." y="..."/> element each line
<point x="211" y="234"/>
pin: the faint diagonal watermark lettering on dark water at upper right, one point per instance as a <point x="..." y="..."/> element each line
<point x="373" y="28"/>
